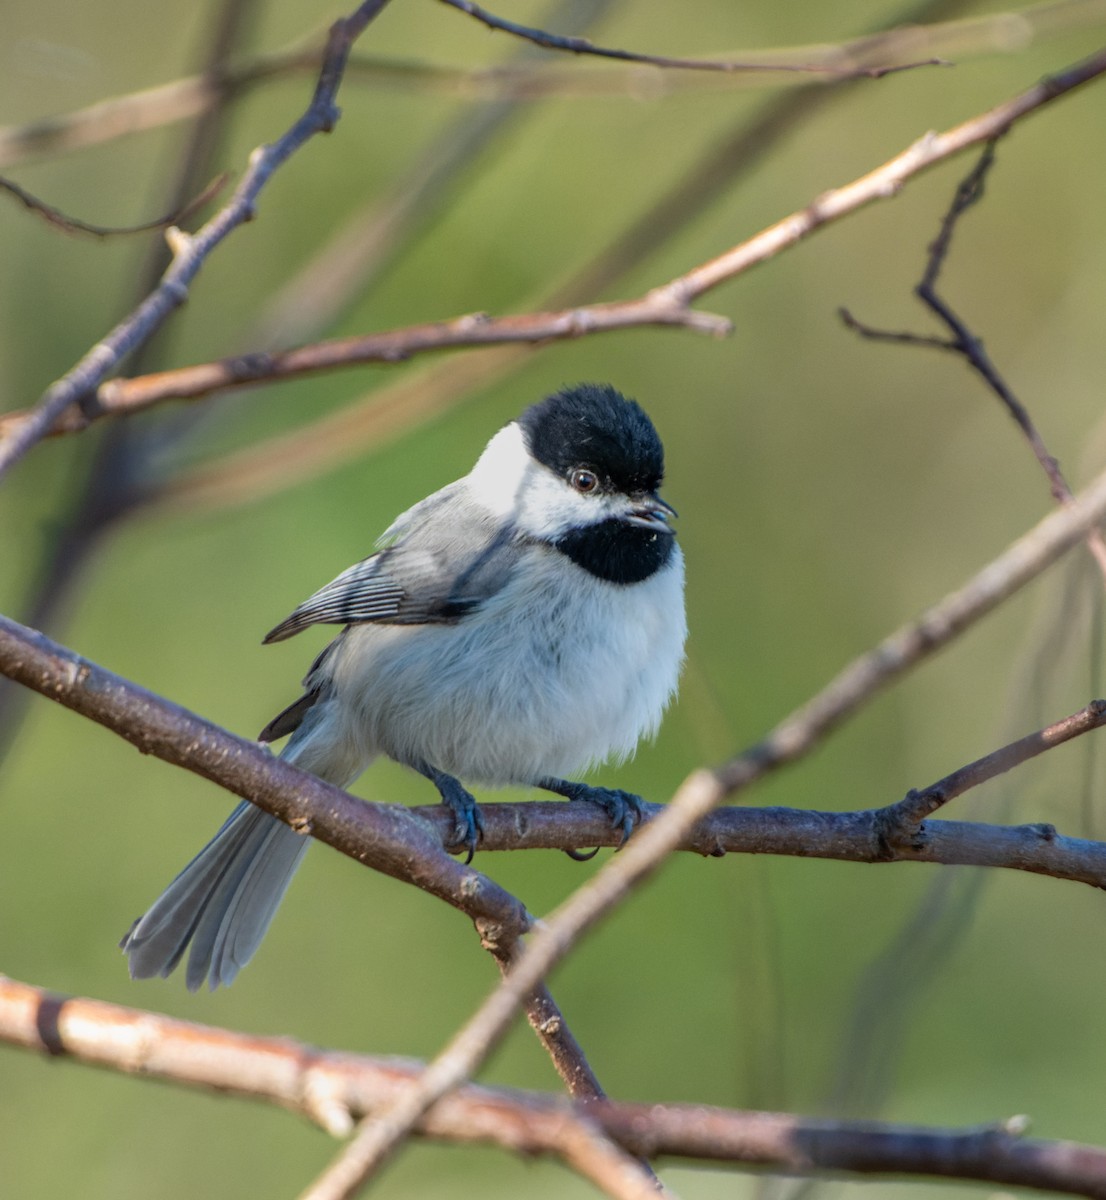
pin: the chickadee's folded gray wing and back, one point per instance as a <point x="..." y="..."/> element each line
<point x="442" y="561"/>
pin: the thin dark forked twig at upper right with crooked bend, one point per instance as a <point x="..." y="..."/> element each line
<point x="964" y="343"/>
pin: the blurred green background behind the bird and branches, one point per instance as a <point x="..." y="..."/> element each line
<point x="828" y="491"/>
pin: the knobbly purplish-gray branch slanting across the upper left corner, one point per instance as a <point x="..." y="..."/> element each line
<point x="191" y="251"/>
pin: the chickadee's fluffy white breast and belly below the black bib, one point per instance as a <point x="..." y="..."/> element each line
<point x="557" y="673"/>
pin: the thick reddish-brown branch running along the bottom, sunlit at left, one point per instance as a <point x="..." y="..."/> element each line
<point x="332" y="1088"/>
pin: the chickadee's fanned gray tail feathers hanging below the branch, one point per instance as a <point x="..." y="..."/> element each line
<point x="223" y="903"/>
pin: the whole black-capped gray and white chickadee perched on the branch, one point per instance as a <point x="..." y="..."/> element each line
<point x="515" y="628"/>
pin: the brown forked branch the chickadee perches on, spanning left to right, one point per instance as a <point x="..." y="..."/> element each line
<point x="390" y="838"/>
